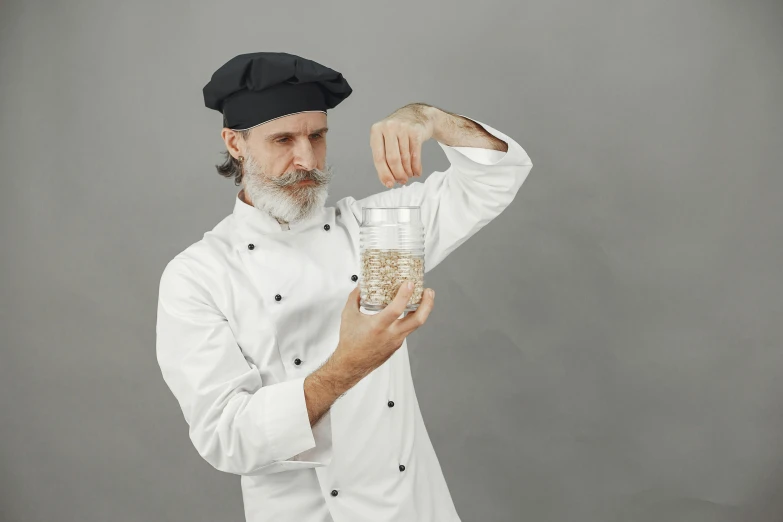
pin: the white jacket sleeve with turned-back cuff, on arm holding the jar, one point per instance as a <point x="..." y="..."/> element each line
<point x="237" y="424"/>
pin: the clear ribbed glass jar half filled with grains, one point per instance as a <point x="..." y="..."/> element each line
<point x="391" y="245"/>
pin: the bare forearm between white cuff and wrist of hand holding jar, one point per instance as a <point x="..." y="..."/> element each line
<point x="326" y="384"/>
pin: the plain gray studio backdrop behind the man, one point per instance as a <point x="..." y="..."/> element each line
<point x="608" y="349"/>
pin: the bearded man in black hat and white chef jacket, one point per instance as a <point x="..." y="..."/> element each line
<point x="254" y="336"/>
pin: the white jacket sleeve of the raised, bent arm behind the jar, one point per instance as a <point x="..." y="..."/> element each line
<point x="455" y="204"/>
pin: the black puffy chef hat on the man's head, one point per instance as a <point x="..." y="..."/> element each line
<point x="251" y="89"/>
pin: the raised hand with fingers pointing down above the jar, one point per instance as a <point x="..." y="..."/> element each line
<point x="396" y="142"/>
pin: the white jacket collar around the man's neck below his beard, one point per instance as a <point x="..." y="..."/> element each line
<point x="251" y="223"/>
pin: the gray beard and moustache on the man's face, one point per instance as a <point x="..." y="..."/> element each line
<point x="281" y="197"/>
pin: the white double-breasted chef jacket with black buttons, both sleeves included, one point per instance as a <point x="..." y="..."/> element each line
<point x="248" y="311"/>
